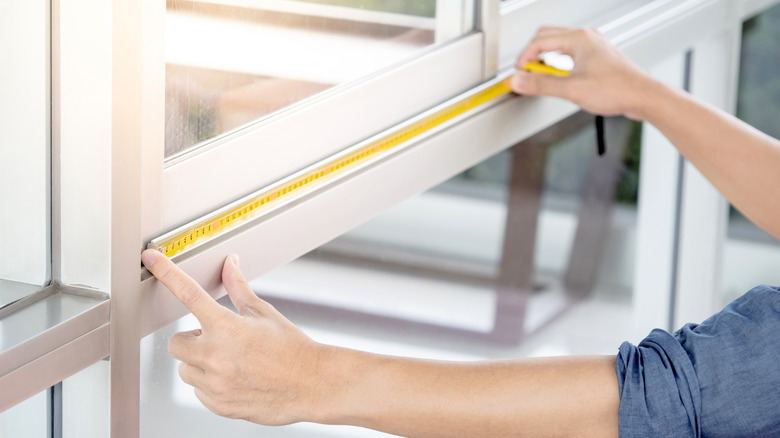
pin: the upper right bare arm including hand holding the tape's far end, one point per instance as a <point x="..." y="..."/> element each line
<point x="740" y="161"/>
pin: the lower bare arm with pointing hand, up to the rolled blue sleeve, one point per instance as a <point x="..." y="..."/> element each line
<point x="258" y="366"/>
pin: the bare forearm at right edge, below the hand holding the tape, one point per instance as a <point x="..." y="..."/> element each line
<point x="740" y="161"/>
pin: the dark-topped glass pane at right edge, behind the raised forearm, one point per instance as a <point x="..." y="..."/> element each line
<point x="751" y="256"/>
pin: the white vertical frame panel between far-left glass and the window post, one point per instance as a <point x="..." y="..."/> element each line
<point x="85" y="141"/>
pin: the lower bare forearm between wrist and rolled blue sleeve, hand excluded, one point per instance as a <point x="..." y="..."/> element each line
<point x="418" y="398"/>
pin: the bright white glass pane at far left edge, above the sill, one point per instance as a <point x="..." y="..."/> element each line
<point x="24" y="151"/>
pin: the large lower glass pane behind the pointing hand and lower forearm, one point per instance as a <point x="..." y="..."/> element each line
<point x="529" y="253"/>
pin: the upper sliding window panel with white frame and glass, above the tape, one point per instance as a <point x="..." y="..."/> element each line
<point x="250" y="92"/>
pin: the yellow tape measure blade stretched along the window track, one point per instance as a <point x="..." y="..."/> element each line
<point x="206" y="228"/>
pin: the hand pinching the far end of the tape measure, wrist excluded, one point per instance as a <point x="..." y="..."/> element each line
<point x="603" y="80"/>
